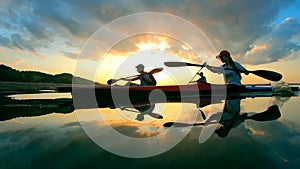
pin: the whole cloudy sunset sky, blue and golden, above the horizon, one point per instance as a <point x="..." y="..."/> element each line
<point x="49" y="35"/>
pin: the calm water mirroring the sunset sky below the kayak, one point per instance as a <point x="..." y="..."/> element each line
<point x="41" y="132"/>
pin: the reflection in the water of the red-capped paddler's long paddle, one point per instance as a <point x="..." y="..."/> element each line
<point x="272" y="113"/>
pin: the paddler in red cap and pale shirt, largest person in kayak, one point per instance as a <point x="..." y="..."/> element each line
<point x="231" y="69"/>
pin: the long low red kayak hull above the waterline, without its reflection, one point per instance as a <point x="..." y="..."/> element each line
<point x="200" y="88"/>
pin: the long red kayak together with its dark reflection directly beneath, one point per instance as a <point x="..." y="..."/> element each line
<point x="116" y="96"/>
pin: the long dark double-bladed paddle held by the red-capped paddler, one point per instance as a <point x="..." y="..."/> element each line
<point x="266" y="74"/>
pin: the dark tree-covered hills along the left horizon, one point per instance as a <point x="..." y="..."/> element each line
<point x="9" y="74"/>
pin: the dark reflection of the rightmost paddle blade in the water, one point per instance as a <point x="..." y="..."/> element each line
<point x="272" y="113"/>
